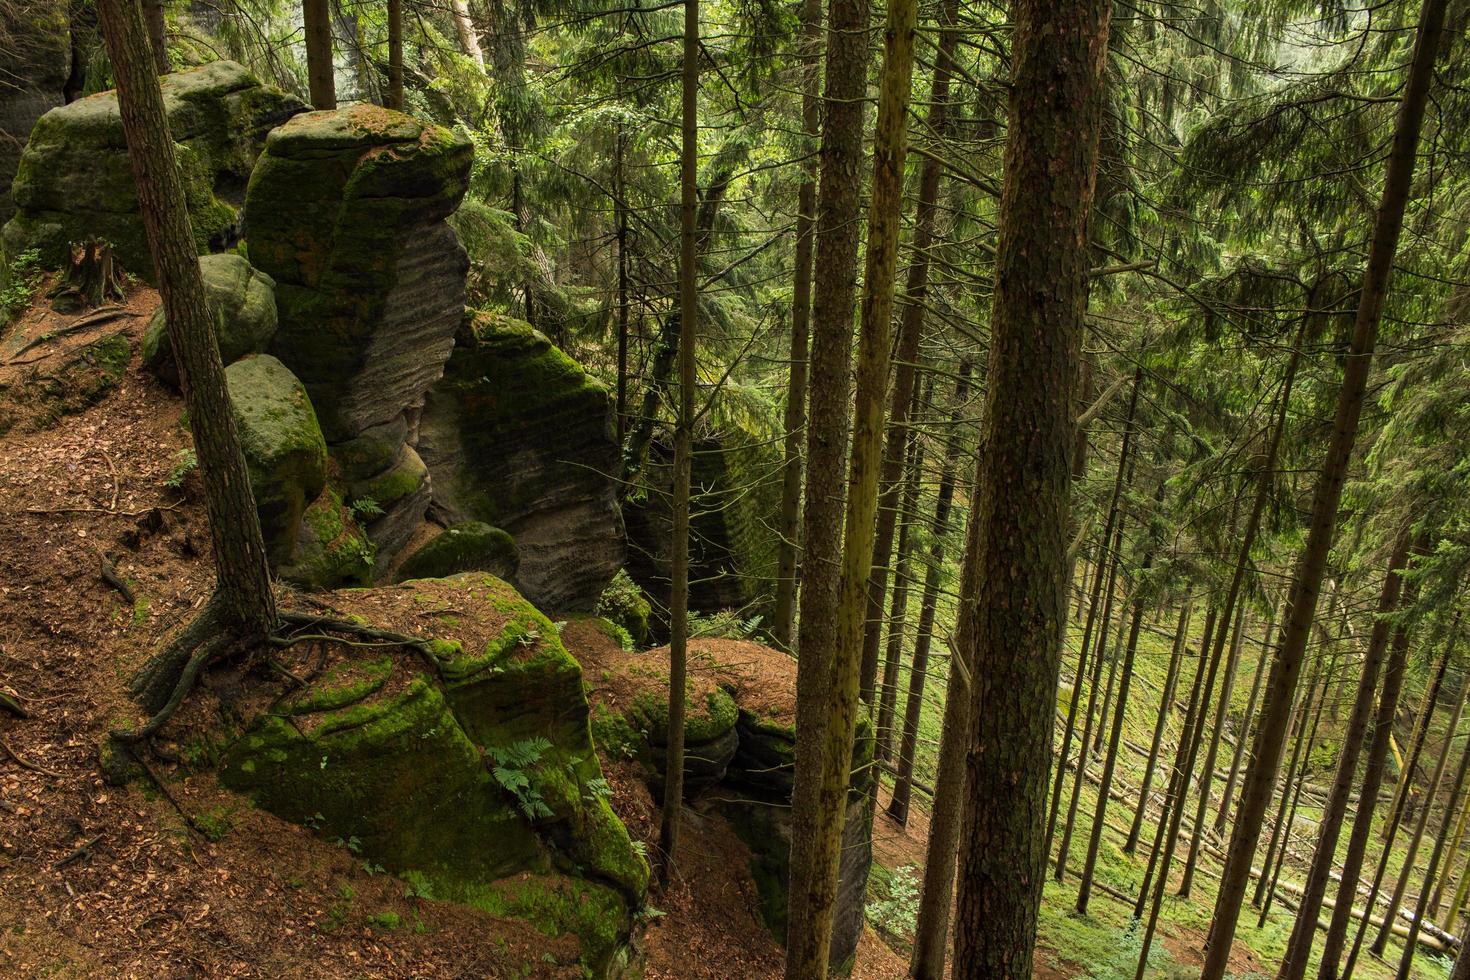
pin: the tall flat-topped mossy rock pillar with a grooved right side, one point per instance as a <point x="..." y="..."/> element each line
<point x="346" y="211"/>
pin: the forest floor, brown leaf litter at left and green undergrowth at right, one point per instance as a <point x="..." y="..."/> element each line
<point x="174" y="876"/>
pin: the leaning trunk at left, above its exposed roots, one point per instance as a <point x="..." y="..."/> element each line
<point x="243" y="580"/>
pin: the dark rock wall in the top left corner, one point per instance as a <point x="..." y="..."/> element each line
<point x="36" y="64"/>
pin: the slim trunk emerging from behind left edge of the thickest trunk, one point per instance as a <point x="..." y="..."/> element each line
<point x="933" y="923"/>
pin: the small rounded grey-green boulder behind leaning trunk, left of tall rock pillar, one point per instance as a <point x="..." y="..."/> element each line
<point x="243" y="303"/>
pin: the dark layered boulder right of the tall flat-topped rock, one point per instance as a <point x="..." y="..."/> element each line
<point x="520" y="437"/>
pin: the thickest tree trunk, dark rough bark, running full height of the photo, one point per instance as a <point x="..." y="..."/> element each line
<point x="1039" y="308"/>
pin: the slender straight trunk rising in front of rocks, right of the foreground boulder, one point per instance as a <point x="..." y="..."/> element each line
<point x="683" y="447"/>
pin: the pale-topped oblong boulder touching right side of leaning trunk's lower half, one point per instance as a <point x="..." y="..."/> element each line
<point x="284" y="447"/>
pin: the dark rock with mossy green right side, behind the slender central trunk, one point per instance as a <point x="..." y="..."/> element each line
<point x="733" y="534"/>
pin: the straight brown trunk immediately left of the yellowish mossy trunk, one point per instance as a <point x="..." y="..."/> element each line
<point x="830" y="649"/>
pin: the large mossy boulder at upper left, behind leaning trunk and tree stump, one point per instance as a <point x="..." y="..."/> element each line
<point x="76" y="179"/>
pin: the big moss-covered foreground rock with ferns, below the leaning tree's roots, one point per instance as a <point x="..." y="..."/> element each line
<point x="470" y="774"/>
